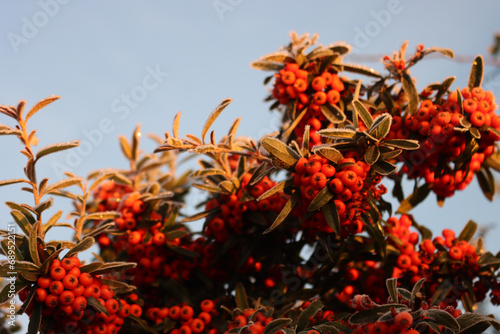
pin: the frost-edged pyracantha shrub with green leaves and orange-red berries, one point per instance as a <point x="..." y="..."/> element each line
<point x="296" y="235"/>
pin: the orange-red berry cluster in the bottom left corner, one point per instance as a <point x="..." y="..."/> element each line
<point x="66" y="293"/>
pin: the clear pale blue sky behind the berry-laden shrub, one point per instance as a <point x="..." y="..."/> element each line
<point x="119" y="63"/>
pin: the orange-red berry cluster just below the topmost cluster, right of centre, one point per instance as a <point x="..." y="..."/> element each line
<point x="350" y="183"/>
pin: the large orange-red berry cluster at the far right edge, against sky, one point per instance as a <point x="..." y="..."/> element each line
<point x="442" y="131"/>
